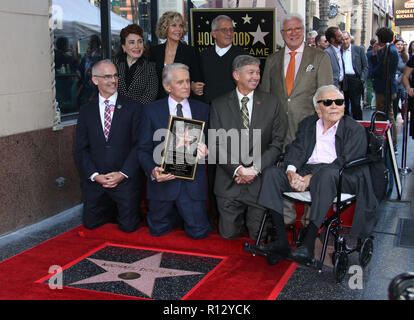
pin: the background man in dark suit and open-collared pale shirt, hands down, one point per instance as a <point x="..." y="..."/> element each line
<point x="356" y="71"/>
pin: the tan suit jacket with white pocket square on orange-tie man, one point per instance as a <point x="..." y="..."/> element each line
<point x="314" y="71"/>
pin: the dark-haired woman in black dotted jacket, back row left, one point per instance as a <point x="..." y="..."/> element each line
<point x="137" y="75"/>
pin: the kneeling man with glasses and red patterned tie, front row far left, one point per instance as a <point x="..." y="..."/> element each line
<point x="106" y="138"/>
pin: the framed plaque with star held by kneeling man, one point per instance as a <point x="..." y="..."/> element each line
<point x="180" y="148"/>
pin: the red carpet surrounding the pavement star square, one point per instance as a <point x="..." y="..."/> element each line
<point x="237" y="275"/>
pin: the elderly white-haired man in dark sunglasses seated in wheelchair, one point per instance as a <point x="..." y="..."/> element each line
<point x="324" y="143"/>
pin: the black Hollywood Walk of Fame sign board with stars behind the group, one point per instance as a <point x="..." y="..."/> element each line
<point x="254" y="29"/>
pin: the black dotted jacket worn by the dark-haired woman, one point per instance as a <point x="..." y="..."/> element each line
<point x="144" y="84"/>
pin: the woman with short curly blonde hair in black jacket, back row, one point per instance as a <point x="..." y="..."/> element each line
<point x="172" y="27"/>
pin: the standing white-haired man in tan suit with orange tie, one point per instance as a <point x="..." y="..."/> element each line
<point x="312" y="70"/>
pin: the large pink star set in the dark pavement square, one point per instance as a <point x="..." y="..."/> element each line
<point x="140" y="275"/>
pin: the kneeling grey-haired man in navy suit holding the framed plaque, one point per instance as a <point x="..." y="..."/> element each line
<point x="165" y="192"/>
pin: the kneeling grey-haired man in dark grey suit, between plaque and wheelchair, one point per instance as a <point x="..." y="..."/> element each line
<point x="254" y="123"/>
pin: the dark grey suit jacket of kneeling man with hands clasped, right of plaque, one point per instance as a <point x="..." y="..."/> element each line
<point x="267" y="116"/>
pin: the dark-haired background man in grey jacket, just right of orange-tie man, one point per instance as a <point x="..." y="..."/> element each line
<point x="334" y="37"/>
